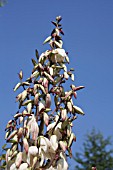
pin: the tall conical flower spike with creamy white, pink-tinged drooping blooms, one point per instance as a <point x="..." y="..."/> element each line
<point x="40" y="136"/>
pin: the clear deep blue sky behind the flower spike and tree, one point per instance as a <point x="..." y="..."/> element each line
<point x="88" y="27"/>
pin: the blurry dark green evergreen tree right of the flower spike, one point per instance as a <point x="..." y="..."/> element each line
<point x="96" y="153"/>
